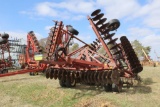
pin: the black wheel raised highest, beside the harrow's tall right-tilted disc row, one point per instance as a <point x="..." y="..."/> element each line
<point x="113" y="24"/>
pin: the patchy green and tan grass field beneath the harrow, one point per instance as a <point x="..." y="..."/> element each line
<point x="37" y="91"/>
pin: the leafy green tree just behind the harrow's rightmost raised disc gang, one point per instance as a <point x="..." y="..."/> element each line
<point x="137" y="46"/>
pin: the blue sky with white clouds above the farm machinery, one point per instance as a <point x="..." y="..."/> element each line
<point x="140" y="19"/>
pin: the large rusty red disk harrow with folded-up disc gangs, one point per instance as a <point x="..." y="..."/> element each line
<point x="86" y="65"/>
